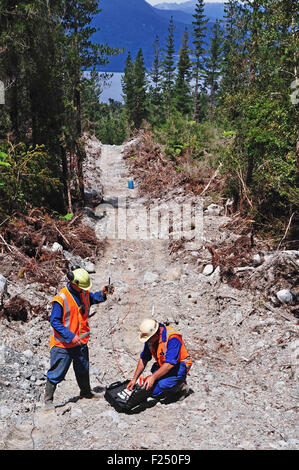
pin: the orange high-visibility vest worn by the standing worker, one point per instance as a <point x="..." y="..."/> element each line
<point x="74" y="318"/>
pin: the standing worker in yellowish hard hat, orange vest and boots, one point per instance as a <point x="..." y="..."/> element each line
<point x="68" y="343"/>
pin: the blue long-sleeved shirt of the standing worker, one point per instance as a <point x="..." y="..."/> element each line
<point x="57" y="312"/>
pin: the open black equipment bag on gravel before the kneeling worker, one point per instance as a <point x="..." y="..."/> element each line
<point x="117" y="396"/>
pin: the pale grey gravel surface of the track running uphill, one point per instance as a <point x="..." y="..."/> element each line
<point x="243" y="379"/>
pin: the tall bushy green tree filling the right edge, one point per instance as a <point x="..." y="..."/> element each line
<point x="260" y="64"/>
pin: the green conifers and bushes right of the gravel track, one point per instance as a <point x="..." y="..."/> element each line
<point x="236" y="97"/>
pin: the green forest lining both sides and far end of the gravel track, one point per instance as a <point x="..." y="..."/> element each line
<point x="230" y="103"/>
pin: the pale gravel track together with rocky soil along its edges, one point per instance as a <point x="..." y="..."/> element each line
<point x="244" y="378"/>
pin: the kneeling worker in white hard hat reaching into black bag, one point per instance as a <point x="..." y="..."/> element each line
<point x="172" y="360"/>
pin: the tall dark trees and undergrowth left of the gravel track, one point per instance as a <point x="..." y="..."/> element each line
<point x="44" y="48"/>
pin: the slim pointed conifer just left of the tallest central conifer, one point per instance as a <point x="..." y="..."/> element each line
<point x="184" y="74"/>
